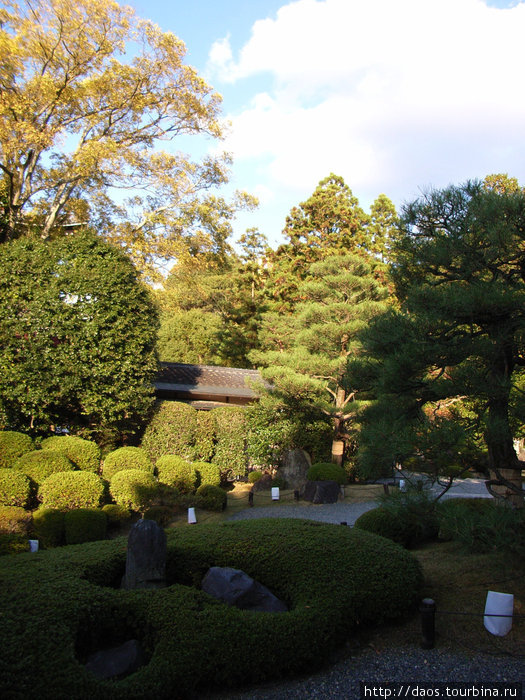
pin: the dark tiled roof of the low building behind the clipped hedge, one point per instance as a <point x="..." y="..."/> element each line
<point x="199" y="380"/>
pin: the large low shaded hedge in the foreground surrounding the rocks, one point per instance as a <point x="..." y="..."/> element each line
<point x="332" y="578"/>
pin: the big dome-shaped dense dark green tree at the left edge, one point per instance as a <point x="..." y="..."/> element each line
<point x="77" y="337"/>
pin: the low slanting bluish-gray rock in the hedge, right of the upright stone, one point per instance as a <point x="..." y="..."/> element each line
<point x="234" y="587"/>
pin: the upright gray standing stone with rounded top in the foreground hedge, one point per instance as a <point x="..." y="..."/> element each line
<point x="146" y="556"/>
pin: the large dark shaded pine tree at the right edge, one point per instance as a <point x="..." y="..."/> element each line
<point x="459" y="335"/>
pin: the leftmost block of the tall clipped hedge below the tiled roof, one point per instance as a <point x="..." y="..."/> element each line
<point x="171" y="430"/>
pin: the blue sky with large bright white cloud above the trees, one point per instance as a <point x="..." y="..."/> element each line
<point x="395" y="96"/>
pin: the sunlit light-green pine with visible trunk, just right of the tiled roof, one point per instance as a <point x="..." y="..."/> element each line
<point x="306" y="354"/>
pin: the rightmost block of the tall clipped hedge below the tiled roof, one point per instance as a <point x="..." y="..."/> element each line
<point x="230" y="434"/>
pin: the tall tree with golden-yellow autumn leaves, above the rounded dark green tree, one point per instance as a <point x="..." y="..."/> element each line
<point x="88" y="90"/>
